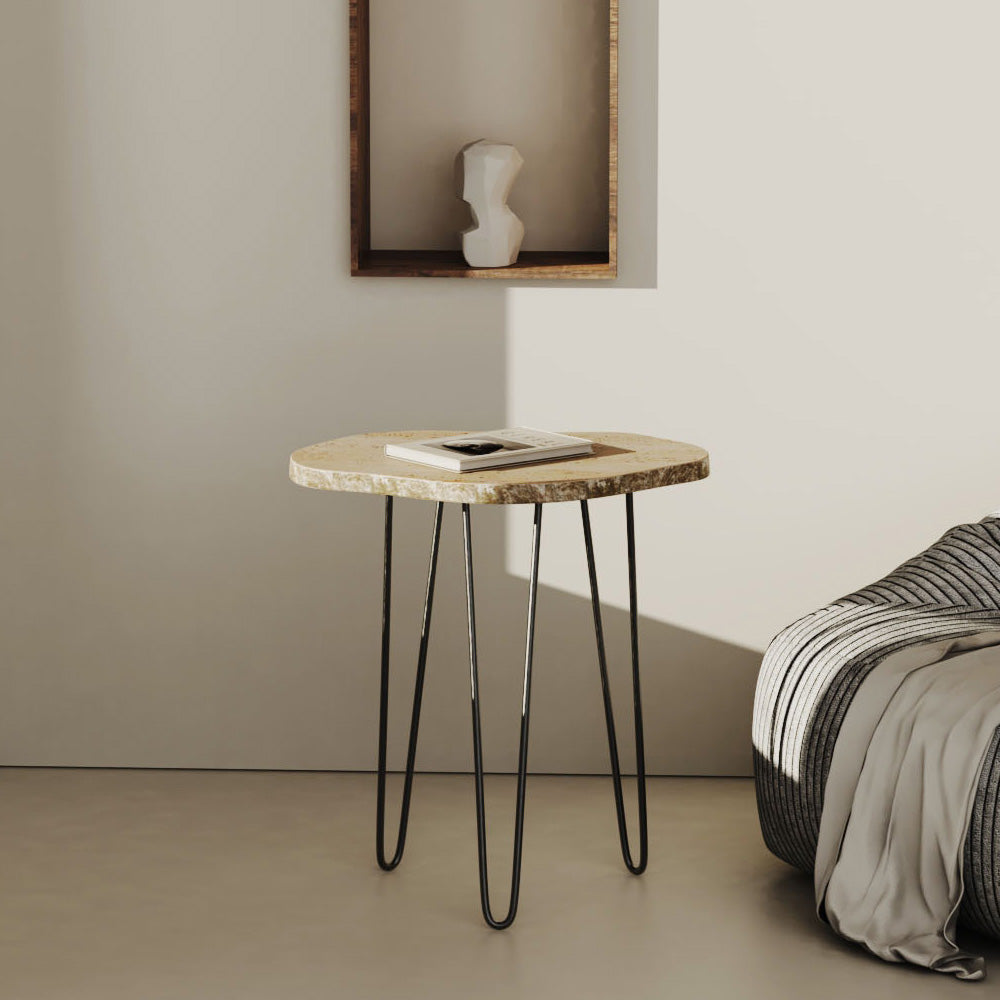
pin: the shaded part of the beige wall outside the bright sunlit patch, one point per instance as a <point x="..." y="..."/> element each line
<point x="179" y="318"/>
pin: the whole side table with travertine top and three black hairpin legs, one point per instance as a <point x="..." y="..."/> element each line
<point x="620" y="464"/>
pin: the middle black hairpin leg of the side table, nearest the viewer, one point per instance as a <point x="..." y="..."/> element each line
<point x="477" y="742"/>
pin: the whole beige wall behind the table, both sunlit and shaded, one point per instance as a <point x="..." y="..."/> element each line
<point x="810" y="288"/>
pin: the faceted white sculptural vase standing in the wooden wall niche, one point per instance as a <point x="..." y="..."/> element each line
<point x="488" y="171"/>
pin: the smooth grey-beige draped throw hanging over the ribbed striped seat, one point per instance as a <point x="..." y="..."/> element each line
<point x="898" y="801"/>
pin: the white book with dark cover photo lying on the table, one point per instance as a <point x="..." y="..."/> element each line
<point x="490" y="449"/>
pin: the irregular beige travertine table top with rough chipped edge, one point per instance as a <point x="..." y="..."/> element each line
<point x="620" y="463"/>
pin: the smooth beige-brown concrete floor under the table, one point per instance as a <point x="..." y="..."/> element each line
<point x="186" y="885"/>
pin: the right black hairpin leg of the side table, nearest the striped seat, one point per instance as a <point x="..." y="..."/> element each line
<point x="609" y="716"/>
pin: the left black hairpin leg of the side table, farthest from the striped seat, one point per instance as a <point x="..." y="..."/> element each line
<point x="418" y="690"/>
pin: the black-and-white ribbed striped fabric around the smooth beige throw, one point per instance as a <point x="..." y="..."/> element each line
<point x="813" y="669"/>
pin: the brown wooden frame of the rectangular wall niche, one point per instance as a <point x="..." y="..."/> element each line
<point x="544" y="264"/>
